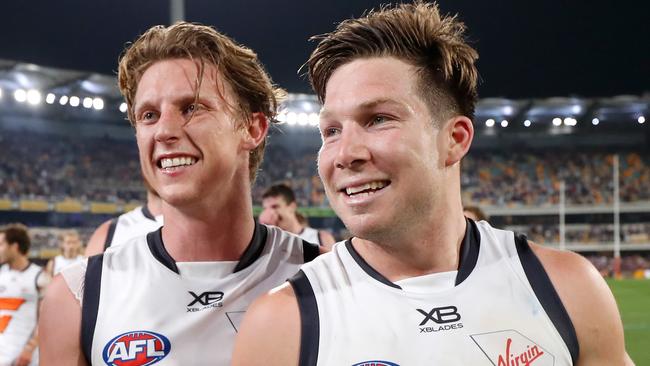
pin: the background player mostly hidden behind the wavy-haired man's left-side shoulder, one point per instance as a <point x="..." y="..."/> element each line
<point x="141" y="220"/>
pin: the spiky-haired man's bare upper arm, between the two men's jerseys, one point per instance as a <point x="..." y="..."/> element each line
<point x="270" y="332"/>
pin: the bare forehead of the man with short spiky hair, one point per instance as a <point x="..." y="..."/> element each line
<point x="369" y="81"/>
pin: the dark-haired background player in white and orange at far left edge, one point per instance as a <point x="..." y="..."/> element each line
<point x="21" y="284"/>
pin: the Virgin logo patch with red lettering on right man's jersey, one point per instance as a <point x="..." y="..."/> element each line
<point x="511" y="348"/>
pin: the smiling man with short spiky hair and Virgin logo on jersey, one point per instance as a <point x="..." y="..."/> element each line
<point x="419" y="284"/>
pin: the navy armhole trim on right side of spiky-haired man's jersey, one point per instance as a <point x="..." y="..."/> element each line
<point x="548" y="297"/>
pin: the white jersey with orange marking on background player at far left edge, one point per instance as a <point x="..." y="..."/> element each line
<point x="18" y="304"/>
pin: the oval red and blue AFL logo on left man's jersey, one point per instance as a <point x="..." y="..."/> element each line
<point x="136" y="348"/>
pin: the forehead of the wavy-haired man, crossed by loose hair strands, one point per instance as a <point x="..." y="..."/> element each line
<point x="178" y="77"/>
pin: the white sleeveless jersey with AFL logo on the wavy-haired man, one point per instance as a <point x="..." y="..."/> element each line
<point x="139" y="307"/>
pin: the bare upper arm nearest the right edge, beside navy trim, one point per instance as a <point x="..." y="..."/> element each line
<point x="590" y="305"/>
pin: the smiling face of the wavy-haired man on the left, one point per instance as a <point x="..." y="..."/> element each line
<point x="191" y="151"/>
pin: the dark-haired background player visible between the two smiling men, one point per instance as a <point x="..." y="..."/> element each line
<point x="280" y="209"/>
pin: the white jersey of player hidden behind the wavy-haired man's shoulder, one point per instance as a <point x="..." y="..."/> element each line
<point x="134" y="223"/>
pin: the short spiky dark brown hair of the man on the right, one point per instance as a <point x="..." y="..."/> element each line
<point x="415" y="33"/>
